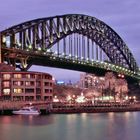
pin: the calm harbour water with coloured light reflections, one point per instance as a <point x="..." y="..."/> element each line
<point x="84" y="126"/>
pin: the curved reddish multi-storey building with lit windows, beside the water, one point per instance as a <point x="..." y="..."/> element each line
<point x="25" y="86"/>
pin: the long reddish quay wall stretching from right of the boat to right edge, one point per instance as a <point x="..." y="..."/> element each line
<point x="96" y="108"/>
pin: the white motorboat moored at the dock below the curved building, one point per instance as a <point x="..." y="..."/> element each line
<point x="28" y="110"/>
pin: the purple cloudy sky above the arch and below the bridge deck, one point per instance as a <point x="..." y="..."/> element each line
<point x="122" y="15"/>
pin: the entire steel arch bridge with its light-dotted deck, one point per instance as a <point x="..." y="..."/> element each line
<point x="72" y="41"/>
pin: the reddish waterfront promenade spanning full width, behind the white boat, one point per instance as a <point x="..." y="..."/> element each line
<point x="48" y="107"/>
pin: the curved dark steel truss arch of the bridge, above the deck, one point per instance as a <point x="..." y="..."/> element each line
<point x="45" y="32"/>
